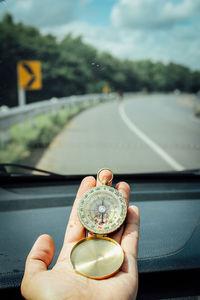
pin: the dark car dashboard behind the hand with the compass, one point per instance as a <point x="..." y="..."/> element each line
<point x="169" y="243"/>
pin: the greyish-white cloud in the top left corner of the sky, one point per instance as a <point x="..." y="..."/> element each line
<point x="41" y="13"/>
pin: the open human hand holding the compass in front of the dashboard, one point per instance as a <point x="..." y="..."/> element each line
<point x="62" y="282"/>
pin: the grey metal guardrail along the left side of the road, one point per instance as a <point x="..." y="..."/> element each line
<point x="16" y="115"/>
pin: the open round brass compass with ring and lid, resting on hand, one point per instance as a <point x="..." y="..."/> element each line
<point x="101" y="210"/>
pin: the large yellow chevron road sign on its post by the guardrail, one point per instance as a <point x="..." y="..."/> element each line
<point x="29" y="78"/>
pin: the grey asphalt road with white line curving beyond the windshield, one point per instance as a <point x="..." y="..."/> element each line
<point x="142" y="133"/>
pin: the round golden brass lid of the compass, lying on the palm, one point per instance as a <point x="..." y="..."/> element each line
<point x="97" y="257"/>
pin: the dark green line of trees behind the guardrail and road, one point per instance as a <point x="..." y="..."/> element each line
<point x="71" y="67"/>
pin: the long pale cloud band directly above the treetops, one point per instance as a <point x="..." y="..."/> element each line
<point x="180" y="45"/>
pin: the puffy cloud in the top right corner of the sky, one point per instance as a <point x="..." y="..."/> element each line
<point x="153" y="14"/>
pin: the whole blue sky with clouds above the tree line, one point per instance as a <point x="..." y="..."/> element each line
<point x="160" y="30"/>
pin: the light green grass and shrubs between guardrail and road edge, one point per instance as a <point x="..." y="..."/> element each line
<point x="34" y="136"/>
